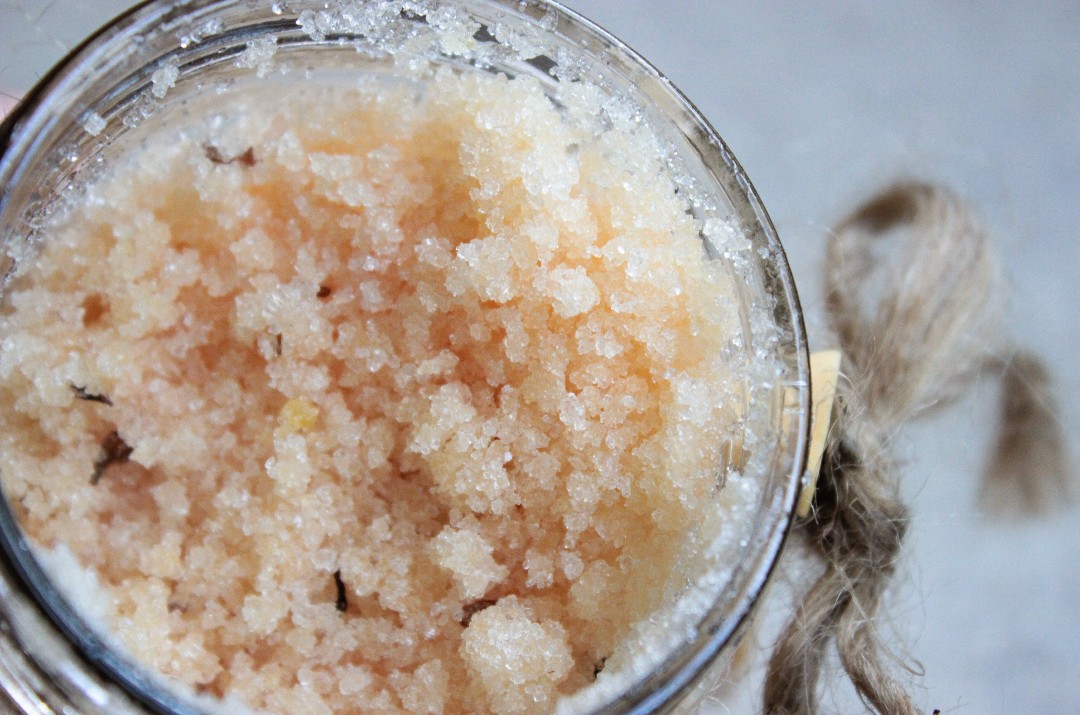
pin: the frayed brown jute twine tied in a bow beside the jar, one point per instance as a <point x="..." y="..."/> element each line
<point x="915" y="301"/>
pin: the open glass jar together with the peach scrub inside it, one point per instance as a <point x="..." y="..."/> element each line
<point x="433" y="357"/>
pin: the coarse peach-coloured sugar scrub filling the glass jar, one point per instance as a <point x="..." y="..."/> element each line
<point x="403" y="397"/>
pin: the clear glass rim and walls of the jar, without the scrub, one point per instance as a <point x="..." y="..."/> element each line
<point x="84" y="112"/>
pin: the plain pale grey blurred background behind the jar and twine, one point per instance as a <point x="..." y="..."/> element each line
<point x="823" y="104"/>
